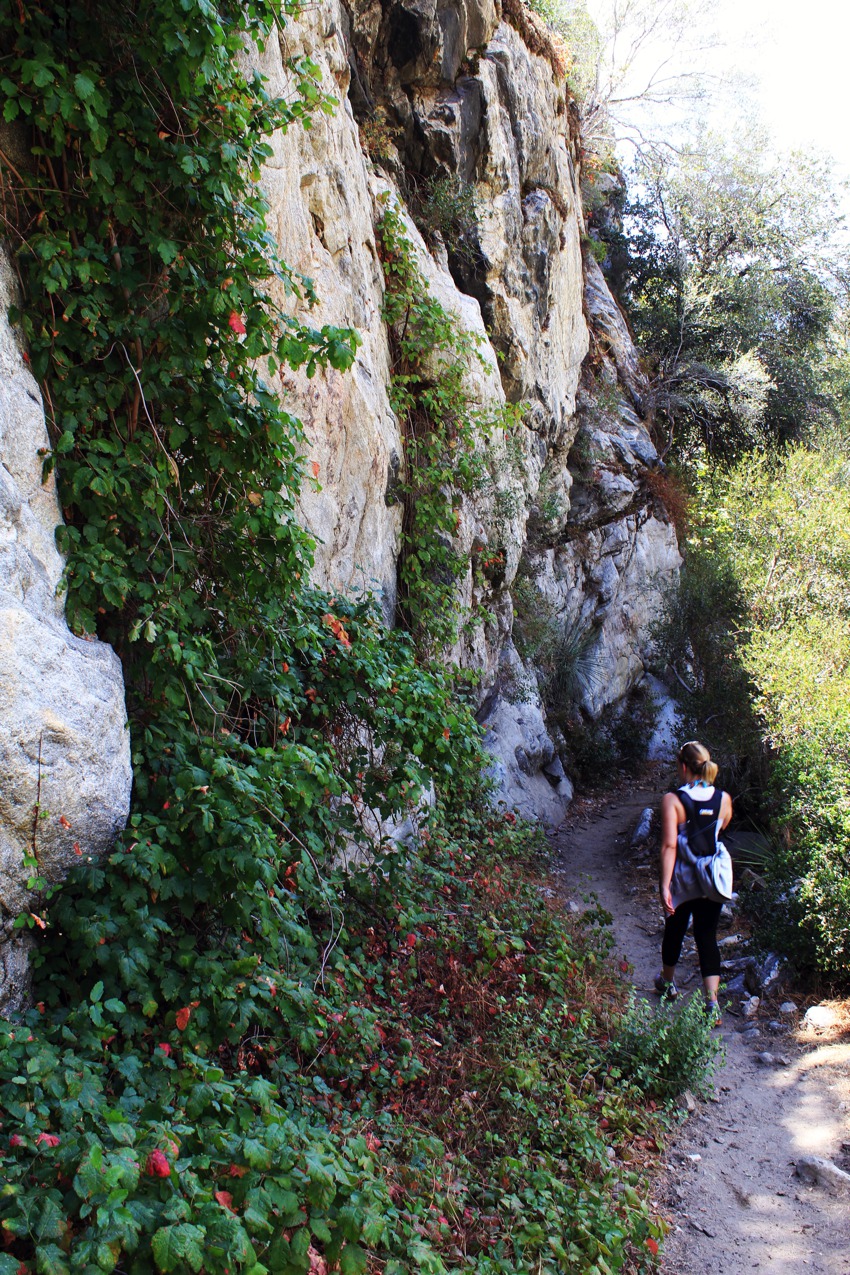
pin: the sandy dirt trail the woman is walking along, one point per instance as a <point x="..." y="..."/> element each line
<point x="730" y="1191"/>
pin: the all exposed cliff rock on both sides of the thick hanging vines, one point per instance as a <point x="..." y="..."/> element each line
<point x="467" y="99"/>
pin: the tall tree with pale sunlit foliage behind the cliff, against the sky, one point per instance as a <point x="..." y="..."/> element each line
<point x="731" y="266"/>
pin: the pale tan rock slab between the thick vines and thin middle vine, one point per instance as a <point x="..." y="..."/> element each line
<point x="323" y="217"/>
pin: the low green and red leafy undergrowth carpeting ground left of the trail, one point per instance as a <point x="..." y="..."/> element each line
<point x="435" y="1079"/>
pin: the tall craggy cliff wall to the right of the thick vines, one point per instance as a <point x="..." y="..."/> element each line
<point x="447" y="91"/>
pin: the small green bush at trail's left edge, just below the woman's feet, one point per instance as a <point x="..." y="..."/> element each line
<point x="668" y="1049"/>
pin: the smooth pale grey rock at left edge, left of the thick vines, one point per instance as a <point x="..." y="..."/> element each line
<point x="64" y="744"/>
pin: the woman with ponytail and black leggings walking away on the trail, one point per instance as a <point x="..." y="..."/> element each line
<point x="699" y="813"/>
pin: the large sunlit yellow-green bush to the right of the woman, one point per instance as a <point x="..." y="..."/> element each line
<point x="765" y="614"/>
